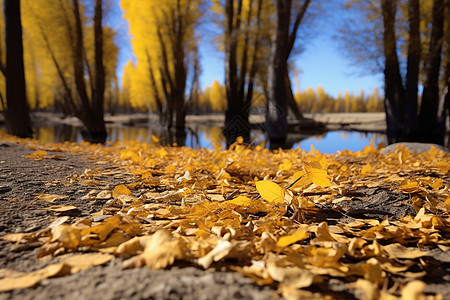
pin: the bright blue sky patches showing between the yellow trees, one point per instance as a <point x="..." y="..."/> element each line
<point x="322" y="63"/>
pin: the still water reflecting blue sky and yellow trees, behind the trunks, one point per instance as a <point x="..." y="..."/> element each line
<point x="201" y="136"/>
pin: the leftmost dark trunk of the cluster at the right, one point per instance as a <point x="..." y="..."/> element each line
<point x="394" y="91"/>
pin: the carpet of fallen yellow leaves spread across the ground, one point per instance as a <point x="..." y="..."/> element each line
<point x="253" y="211"/>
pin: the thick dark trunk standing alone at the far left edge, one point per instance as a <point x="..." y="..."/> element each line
<point x="17" y="112"/>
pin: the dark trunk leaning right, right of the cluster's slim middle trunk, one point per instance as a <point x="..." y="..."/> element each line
<point x="431" y="120"/>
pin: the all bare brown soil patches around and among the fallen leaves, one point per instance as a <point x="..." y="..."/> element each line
<point x="22" y="179"/>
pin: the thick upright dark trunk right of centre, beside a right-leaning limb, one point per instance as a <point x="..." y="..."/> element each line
<point x="276" y="105"/>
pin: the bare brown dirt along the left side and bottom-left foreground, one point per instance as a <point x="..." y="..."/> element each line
<point x="22" y="179"/>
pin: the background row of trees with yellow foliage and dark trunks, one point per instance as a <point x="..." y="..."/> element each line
<point x="71" y="53"/>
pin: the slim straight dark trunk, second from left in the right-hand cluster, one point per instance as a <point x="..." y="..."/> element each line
<point x="412" y="72"/>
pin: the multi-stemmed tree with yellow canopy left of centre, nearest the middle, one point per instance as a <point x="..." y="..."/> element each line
<point x="165" y="75"/>
